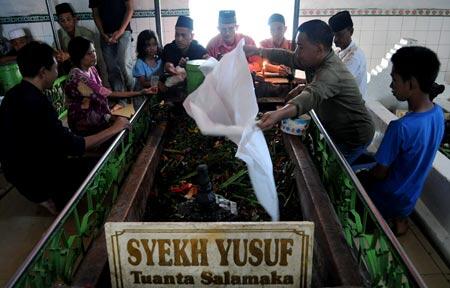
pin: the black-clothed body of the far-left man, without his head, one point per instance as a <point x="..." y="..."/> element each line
<point x="33" y="138"/>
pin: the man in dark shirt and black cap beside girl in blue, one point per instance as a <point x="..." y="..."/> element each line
<point x="183" y="48"/>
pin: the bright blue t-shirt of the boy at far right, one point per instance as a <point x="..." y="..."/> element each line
<point x="413" y="140"/>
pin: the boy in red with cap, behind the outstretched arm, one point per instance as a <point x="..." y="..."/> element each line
<point x="277" y="30"/>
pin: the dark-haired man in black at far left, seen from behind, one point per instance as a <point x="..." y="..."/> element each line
<point x="31" y="132"/>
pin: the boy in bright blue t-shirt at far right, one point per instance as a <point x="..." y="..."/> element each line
<point x="409" y="146"/>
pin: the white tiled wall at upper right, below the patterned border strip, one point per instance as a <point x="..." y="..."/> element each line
<point x="377" y="34"/>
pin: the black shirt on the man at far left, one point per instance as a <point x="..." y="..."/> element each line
<point x="26" y="117"/>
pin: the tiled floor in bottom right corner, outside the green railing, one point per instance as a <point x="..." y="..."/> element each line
<point x="425" y="258"/>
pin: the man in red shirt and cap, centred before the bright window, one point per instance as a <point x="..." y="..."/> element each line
<point x="228" y="39"/>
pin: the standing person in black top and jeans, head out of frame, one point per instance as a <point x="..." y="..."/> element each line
<point x="112" y="18"/>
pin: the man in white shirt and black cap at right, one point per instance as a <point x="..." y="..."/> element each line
<point x="352" y="56"/>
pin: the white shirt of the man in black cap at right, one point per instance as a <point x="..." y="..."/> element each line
<point x="355" y="60"/>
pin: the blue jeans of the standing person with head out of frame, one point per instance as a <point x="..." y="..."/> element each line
<point x="118" y="62"/>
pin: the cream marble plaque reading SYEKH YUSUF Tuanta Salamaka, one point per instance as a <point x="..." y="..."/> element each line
<point x="239" y="254"/>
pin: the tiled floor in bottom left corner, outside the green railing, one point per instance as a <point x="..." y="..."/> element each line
<point x="22" y="224"/>
